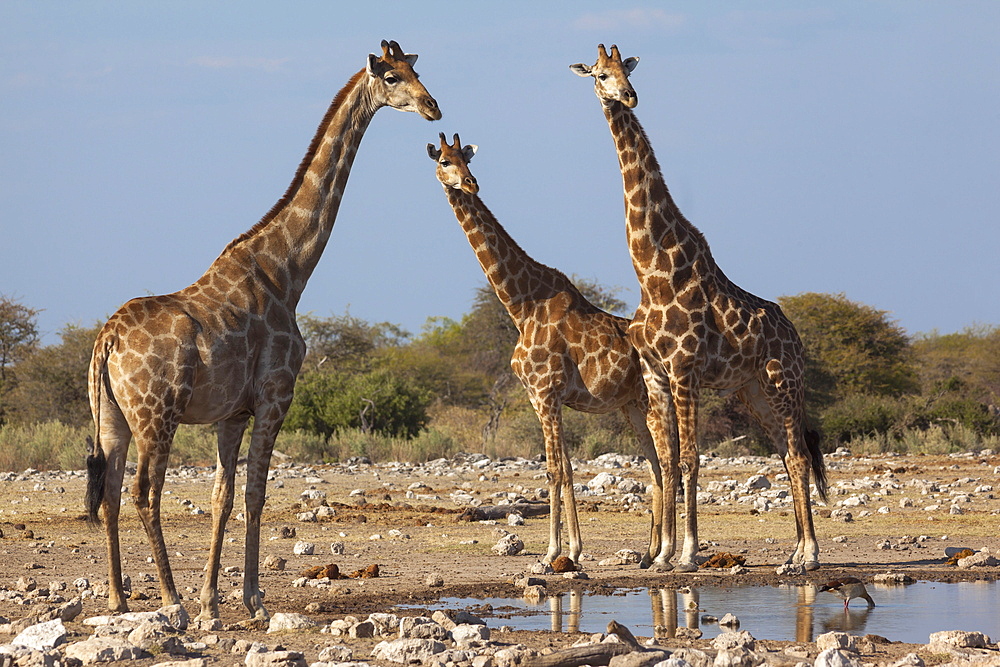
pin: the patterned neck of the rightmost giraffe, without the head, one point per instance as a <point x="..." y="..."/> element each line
<point x="661" y="241"/>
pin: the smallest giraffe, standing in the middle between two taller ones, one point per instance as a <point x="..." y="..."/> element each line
<point x="569" y="352"/>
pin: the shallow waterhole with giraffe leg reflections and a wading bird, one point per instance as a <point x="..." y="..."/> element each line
<point x="793" y="613"/>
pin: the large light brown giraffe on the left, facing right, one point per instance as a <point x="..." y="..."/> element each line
<point x="227" y="347"/>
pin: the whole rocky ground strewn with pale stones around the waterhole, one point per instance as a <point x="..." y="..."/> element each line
<point x="887" y="515"/>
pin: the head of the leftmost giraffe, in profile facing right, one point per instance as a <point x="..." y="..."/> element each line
<point x="394" y="83"/>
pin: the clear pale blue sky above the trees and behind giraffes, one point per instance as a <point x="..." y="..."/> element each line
<point x="820" y="146"/>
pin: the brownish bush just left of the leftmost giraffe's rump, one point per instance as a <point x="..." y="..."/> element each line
<point x="52" y="382"/>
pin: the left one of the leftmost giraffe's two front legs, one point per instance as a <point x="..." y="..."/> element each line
<point x="229" y="436"/>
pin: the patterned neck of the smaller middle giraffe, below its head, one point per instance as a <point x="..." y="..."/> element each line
<point x="518" y="280"/>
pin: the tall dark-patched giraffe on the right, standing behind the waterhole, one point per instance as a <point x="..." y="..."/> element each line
<point x="694" y="328"/>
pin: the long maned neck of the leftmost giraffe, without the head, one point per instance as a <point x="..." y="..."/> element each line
<point x="281" y="251"/>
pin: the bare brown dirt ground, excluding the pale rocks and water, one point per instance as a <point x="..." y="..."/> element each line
<point x="46" y="537"/>
